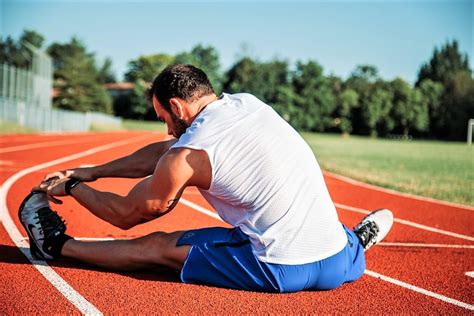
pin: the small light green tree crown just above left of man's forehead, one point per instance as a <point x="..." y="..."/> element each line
<point x="148" y="67"/>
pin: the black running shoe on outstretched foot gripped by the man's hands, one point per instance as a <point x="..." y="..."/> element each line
<point x="45" y="228"/>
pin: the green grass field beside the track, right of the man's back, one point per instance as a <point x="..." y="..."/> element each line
<point x="442" y="170"/>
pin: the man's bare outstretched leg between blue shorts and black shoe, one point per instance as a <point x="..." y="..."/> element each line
<point x="144" y="252"/>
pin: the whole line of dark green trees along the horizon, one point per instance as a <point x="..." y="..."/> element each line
<point x="438" y="105"/>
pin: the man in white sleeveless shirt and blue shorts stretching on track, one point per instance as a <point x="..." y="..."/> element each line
<point x="249" y="164"/>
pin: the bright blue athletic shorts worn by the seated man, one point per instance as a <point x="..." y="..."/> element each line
<point x="223" y="257"/>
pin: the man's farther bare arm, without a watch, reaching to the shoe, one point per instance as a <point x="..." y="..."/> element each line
<point x="139" y="164"/>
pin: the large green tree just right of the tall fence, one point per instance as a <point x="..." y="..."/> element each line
<point x="77" y="79"/>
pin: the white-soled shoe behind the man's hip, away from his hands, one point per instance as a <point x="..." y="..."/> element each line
<point x="374" y="227"/>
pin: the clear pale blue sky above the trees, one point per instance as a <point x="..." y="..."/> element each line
<point x="395" y="36"/>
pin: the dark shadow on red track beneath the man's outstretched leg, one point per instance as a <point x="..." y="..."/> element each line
<point x="13" y="255"/>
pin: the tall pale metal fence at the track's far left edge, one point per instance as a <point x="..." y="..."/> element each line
<point x="25" y="99"/>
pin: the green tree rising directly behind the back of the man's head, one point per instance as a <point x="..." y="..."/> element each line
<point x="205" y="58"/>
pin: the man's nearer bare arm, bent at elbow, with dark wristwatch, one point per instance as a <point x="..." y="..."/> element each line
<point x="151" y="197"/>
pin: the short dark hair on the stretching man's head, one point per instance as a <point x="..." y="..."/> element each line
<point x="183" y="81"/>
